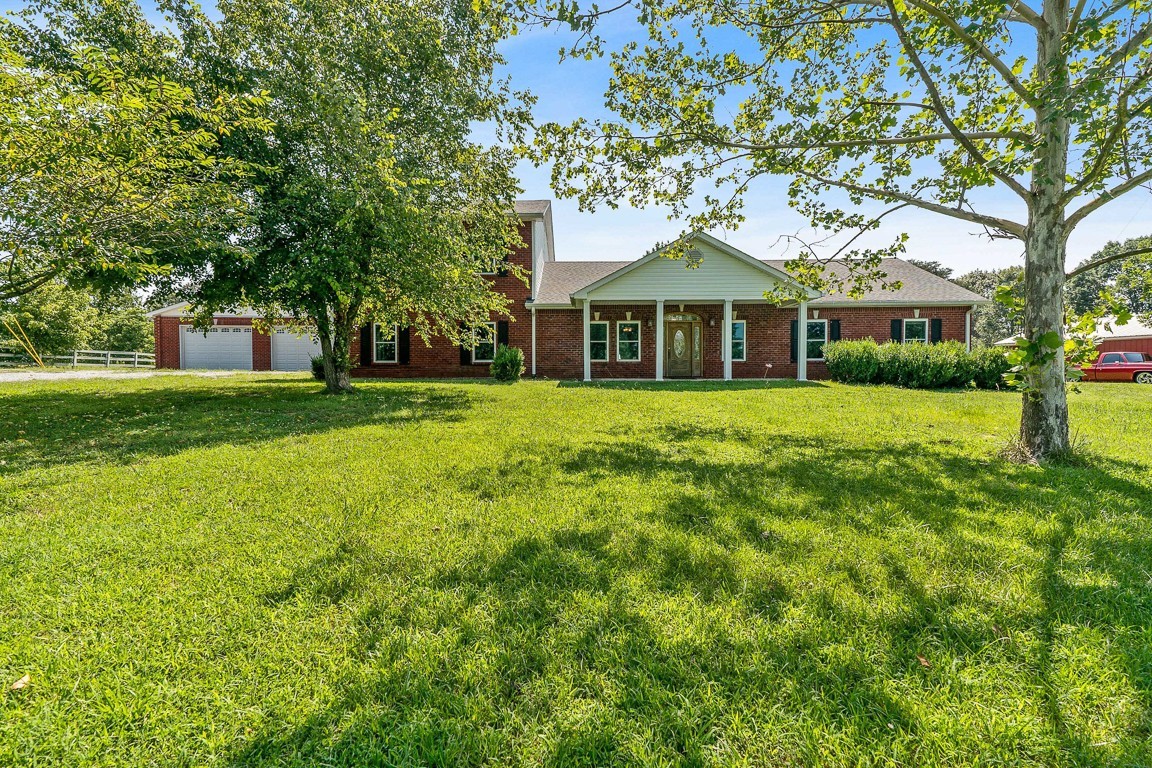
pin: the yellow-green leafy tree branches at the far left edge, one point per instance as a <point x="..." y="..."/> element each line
<point x="109" y="177"/>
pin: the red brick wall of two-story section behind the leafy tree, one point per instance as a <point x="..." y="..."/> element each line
<point x="439" y="358"/>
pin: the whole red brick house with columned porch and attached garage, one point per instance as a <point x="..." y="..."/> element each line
<point x="649" y="318"/>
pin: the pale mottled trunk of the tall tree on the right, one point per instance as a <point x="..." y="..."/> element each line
<point x="1044" y="422"/>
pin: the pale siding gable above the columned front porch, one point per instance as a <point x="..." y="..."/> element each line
<point x="718" y="276"/>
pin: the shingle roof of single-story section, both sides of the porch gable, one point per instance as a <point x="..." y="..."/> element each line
<point x="562" y="279"/>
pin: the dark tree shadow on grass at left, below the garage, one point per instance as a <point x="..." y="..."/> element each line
<point x="56" y="428"/>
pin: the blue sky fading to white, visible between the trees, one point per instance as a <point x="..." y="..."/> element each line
<point x="575" y="89"/>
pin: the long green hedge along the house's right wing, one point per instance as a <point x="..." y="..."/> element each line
<point x="916" y="367"/>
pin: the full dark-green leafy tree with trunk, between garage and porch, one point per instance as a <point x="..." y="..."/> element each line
<point x="376" y="203"/>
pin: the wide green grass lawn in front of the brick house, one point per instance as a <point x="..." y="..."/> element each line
<point x="245" y="573"/>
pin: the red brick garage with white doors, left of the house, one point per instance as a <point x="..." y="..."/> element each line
<point x="231" y="345"/>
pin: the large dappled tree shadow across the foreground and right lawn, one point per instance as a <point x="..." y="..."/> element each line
<point x="598" y="643"/>
